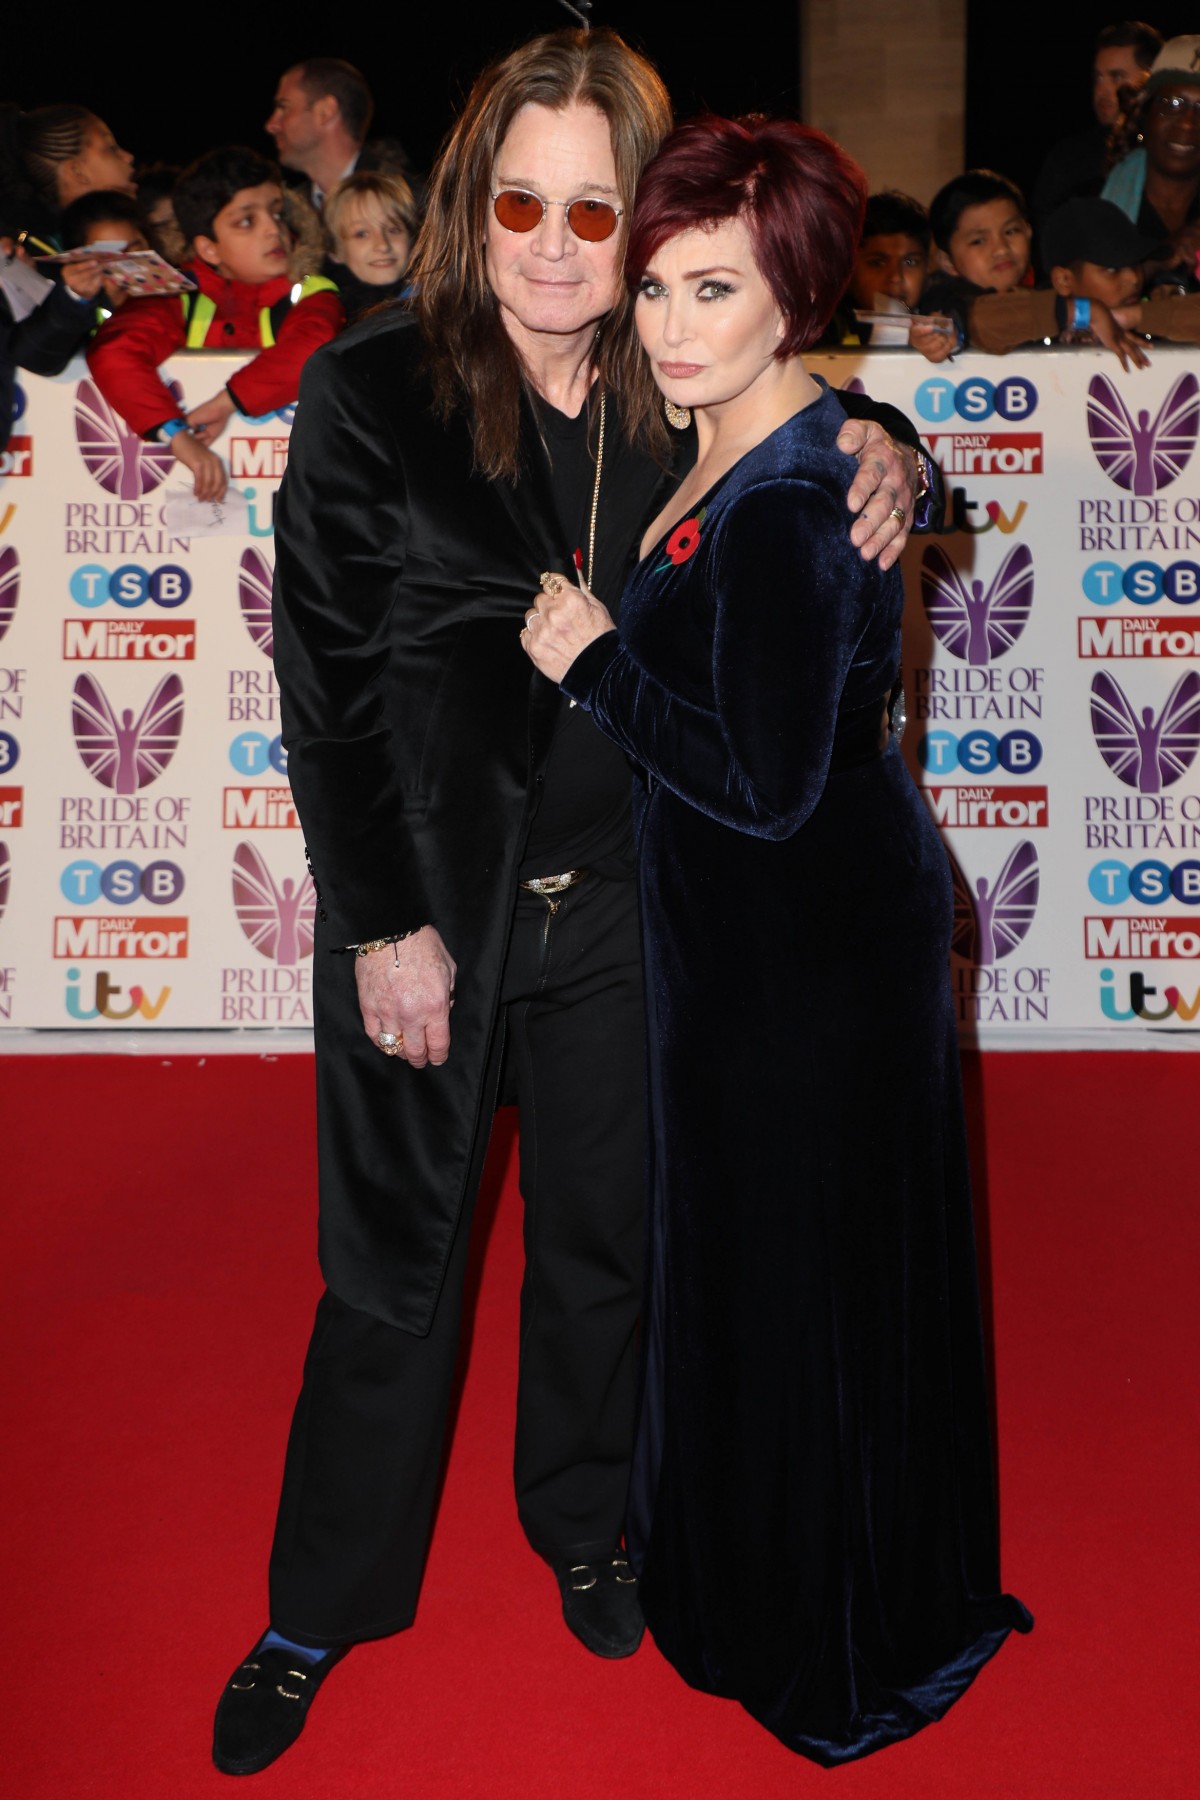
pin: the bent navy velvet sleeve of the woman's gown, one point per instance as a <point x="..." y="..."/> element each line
<point x="789" y="604"/>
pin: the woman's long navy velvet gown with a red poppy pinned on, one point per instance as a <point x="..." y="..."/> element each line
<point x="814" y="1513"/>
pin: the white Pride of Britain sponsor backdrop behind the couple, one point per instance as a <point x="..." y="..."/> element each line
<point x="152" y="870"/>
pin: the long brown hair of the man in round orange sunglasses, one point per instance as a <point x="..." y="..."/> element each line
<point x="472" y="361"/>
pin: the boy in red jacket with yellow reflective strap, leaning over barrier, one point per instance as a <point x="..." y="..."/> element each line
<point x="229" y="206"/>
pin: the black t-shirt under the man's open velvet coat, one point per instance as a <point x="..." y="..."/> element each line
<point x="584" y="809"/>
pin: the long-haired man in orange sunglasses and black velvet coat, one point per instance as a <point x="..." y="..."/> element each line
<point x="470" y="843"/>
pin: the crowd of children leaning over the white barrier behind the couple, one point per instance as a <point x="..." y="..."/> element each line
<point x="265" y="273"/>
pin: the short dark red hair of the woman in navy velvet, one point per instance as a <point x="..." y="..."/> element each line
<point x="798" y="192"/>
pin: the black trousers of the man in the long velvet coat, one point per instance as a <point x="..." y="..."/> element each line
<point x="364" y="1457"/>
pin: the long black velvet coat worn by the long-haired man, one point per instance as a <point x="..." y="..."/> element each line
<point x="416" y="741"/>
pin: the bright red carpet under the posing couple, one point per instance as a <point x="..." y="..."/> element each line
<point x="159" y="1281"/>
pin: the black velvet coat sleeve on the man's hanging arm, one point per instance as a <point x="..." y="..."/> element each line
<point x="341" y="537"/>
